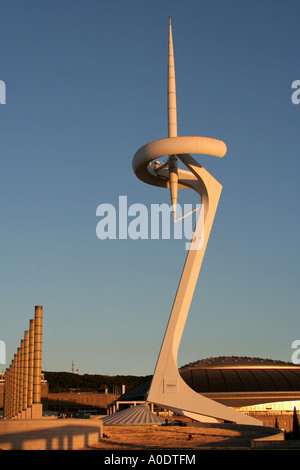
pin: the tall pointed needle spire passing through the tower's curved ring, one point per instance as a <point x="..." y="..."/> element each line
<point x="172" y="122"/>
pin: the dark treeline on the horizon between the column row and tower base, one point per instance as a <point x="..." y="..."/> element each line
<point x="68" y="381"/>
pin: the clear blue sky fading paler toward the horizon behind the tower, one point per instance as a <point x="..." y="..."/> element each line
<point x="86" y="86"/>
